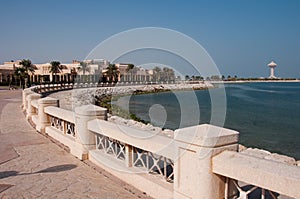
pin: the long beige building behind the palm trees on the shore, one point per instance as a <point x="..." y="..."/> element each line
<point x="91" y="71"/>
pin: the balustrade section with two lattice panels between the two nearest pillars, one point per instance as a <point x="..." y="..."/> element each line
<point x="132" y="154"/>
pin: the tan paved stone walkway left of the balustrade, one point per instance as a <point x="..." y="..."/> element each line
<point x="33" y="166"/>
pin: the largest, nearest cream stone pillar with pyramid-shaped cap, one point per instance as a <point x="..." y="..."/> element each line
<point x="193" y="177"/>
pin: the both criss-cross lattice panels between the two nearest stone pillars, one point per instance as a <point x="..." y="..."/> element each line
<point x="148" y="161"/>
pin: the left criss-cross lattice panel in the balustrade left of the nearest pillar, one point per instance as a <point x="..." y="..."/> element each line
<point x="111" y="146"/>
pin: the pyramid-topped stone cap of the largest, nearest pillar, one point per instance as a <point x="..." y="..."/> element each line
<point x="206" y="135"/>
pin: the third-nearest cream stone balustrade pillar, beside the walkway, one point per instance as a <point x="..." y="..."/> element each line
<point x="44" y="120"/>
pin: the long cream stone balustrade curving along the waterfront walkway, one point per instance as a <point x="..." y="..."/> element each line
<point x="195" y="162"/>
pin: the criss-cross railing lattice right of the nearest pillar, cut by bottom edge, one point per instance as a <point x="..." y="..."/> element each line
<point x="247" y="191"/>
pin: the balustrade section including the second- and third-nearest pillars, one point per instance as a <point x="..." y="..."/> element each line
<point x="68" y="127"/>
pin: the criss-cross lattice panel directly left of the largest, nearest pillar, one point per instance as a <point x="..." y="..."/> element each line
<point x="153" y="163"/>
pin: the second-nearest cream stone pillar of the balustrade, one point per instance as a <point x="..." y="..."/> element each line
<point x="87" y="139"/>
